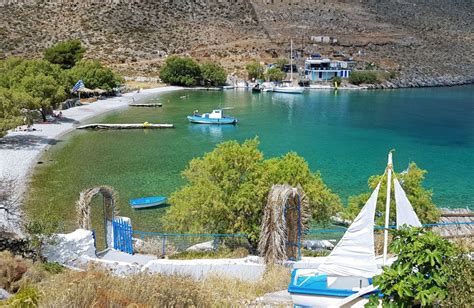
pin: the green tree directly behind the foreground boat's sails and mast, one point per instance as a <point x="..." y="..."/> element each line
<point x="412" y="183"/>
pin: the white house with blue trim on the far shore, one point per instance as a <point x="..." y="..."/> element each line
<point x="323" y="69"/>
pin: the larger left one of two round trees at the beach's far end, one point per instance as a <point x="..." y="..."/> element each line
<point x="181" y="71"/>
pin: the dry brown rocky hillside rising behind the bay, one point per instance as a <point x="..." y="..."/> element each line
<point x="430" y="42"/>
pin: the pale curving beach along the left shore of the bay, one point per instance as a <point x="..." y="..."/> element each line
<point x="19" y="150"/>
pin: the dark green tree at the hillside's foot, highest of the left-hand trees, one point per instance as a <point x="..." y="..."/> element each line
<point x="66" y="53"/>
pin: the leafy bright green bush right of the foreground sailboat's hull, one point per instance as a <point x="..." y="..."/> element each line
<point x="420" y="273"/>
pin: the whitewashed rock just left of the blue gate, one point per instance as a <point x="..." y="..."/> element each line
<point x="67" y="249"/>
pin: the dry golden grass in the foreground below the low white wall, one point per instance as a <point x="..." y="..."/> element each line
<point x="102" y="289"/>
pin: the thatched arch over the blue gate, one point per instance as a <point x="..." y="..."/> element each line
<point x="83" y="208"/>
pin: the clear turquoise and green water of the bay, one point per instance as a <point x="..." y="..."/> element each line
<point x="345" y="135"/>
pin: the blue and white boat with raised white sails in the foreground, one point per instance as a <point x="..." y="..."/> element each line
<point x="344" y="278"/>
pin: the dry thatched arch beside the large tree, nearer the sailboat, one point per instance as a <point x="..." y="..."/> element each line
<point x="285" y="218"/>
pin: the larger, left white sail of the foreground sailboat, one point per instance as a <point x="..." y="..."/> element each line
<point x="354" y="255"/>
